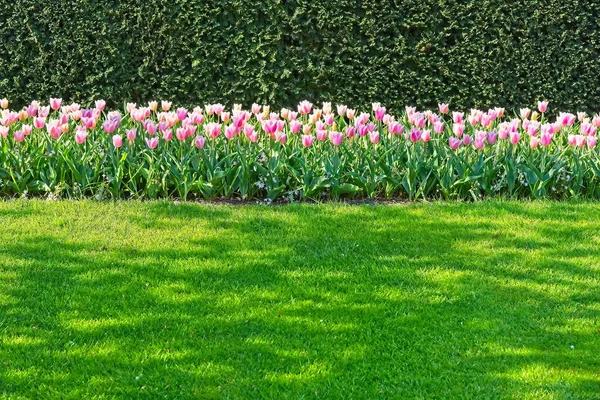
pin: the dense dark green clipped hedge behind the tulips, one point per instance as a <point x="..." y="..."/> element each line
<point x="469" y="53"/>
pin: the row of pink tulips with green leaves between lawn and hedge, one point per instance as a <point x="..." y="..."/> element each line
<point x="156" y="150"/>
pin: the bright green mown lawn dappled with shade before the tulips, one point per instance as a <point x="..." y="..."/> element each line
<point x="132" y="299"/>
